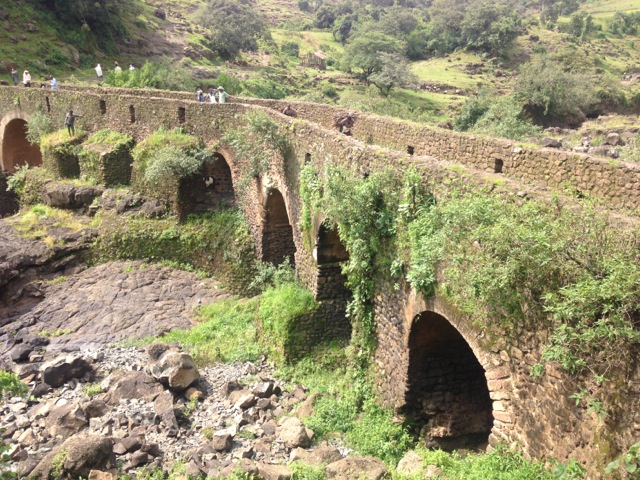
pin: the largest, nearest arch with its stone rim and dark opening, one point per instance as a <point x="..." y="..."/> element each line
<point x="451" y="381"/>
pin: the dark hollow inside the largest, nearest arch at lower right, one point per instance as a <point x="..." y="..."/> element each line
<point x="447" y="393"/>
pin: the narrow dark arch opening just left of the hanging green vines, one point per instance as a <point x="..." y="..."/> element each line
<point x="330" y="253"/>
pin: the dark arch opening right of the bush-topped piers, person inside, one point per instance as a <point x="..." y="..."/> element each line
<point x="211" y="189"/>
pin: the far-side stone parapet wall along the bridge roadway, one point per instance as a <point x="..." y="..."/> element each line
<point x="616" y="181"/>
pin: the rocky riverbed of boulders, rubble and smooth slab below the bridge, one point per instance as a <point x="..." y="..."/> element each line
<point x="95" y="410"/>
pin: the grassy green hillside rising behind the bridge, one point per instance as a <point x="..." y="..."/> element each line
<point x="34" y="38"/>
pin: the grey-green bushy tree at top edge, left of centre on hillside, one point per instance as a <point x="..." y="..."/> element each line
<point x="233" y="26"/>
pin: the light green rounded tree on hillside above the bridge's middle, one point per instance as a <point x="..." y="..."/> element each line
<point x="363" y="52"/>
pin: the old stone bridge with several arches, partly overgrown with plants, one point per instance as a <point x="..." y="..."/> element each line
<point x="430" y="361"/>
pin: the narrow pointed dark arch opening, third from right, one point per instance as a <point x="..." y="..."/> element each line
<point x="277" y="233"/>
